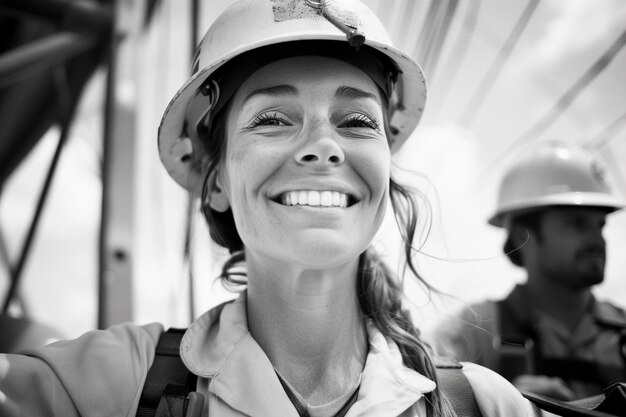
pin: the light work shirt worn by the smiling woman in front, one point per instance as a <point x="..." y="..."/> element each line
<point x="102" y="373"/>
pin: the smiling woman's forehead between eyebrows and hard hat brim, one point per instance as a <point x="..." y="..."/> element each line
<point x="308" y="74"/>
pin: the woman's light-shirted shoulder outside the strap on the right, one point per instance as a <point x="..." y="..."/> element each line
<point x="495" y="395"/>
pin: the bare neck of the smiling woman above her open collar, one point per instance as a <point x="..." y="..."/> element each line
<point x="309" y="324"/>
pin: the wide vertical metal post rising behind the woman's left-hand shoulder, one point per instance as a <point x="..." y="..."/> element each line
<point x="117" y="258"/>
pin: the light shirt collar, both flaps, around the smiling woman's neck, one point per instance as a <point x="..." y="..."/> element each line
<point x="219" y="346"/>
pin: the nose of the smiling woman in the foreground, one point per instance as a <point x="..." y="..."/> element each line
<point x="320" y="148"/>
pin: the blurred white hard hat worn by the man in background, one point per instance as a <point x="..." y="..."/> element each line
<point x="553" y="173"/>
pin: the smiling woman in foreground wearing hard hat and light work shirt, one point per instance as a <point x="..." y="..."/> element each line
<point x="285" y="131"/>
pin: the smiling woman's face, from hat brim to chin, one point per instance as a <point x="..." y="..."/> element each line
<point x="307" y="130"/>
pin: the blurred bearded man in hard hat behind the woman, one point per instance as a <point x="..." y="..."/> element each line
<point x="550" y="335"/>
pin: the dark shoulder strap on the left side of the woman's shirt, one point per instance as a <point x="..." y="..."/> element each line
<point x="169" y="382"/>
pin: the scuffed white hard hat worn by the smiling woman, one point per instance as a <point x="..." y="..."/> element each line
<point x="265" y="30"/>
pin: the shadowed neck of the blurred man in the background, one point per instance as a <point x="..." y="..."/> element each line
<point x="565" y="304"/>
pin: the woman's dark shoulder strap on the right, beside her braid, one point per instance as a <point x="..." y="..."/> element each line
<point x="456" y="387"/>
